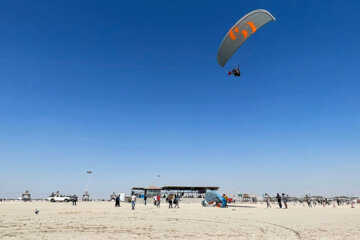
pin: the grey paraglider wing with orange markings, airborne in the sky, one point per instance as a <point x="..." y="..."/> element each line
<point x="240" y="32"/>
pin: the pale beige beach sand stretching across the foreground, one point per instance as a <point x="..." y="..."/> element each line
<point x="101" y="220"/>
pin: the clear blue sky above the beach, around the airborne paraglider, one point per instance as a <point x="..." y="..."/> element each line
<point x="132" y="89"/>
